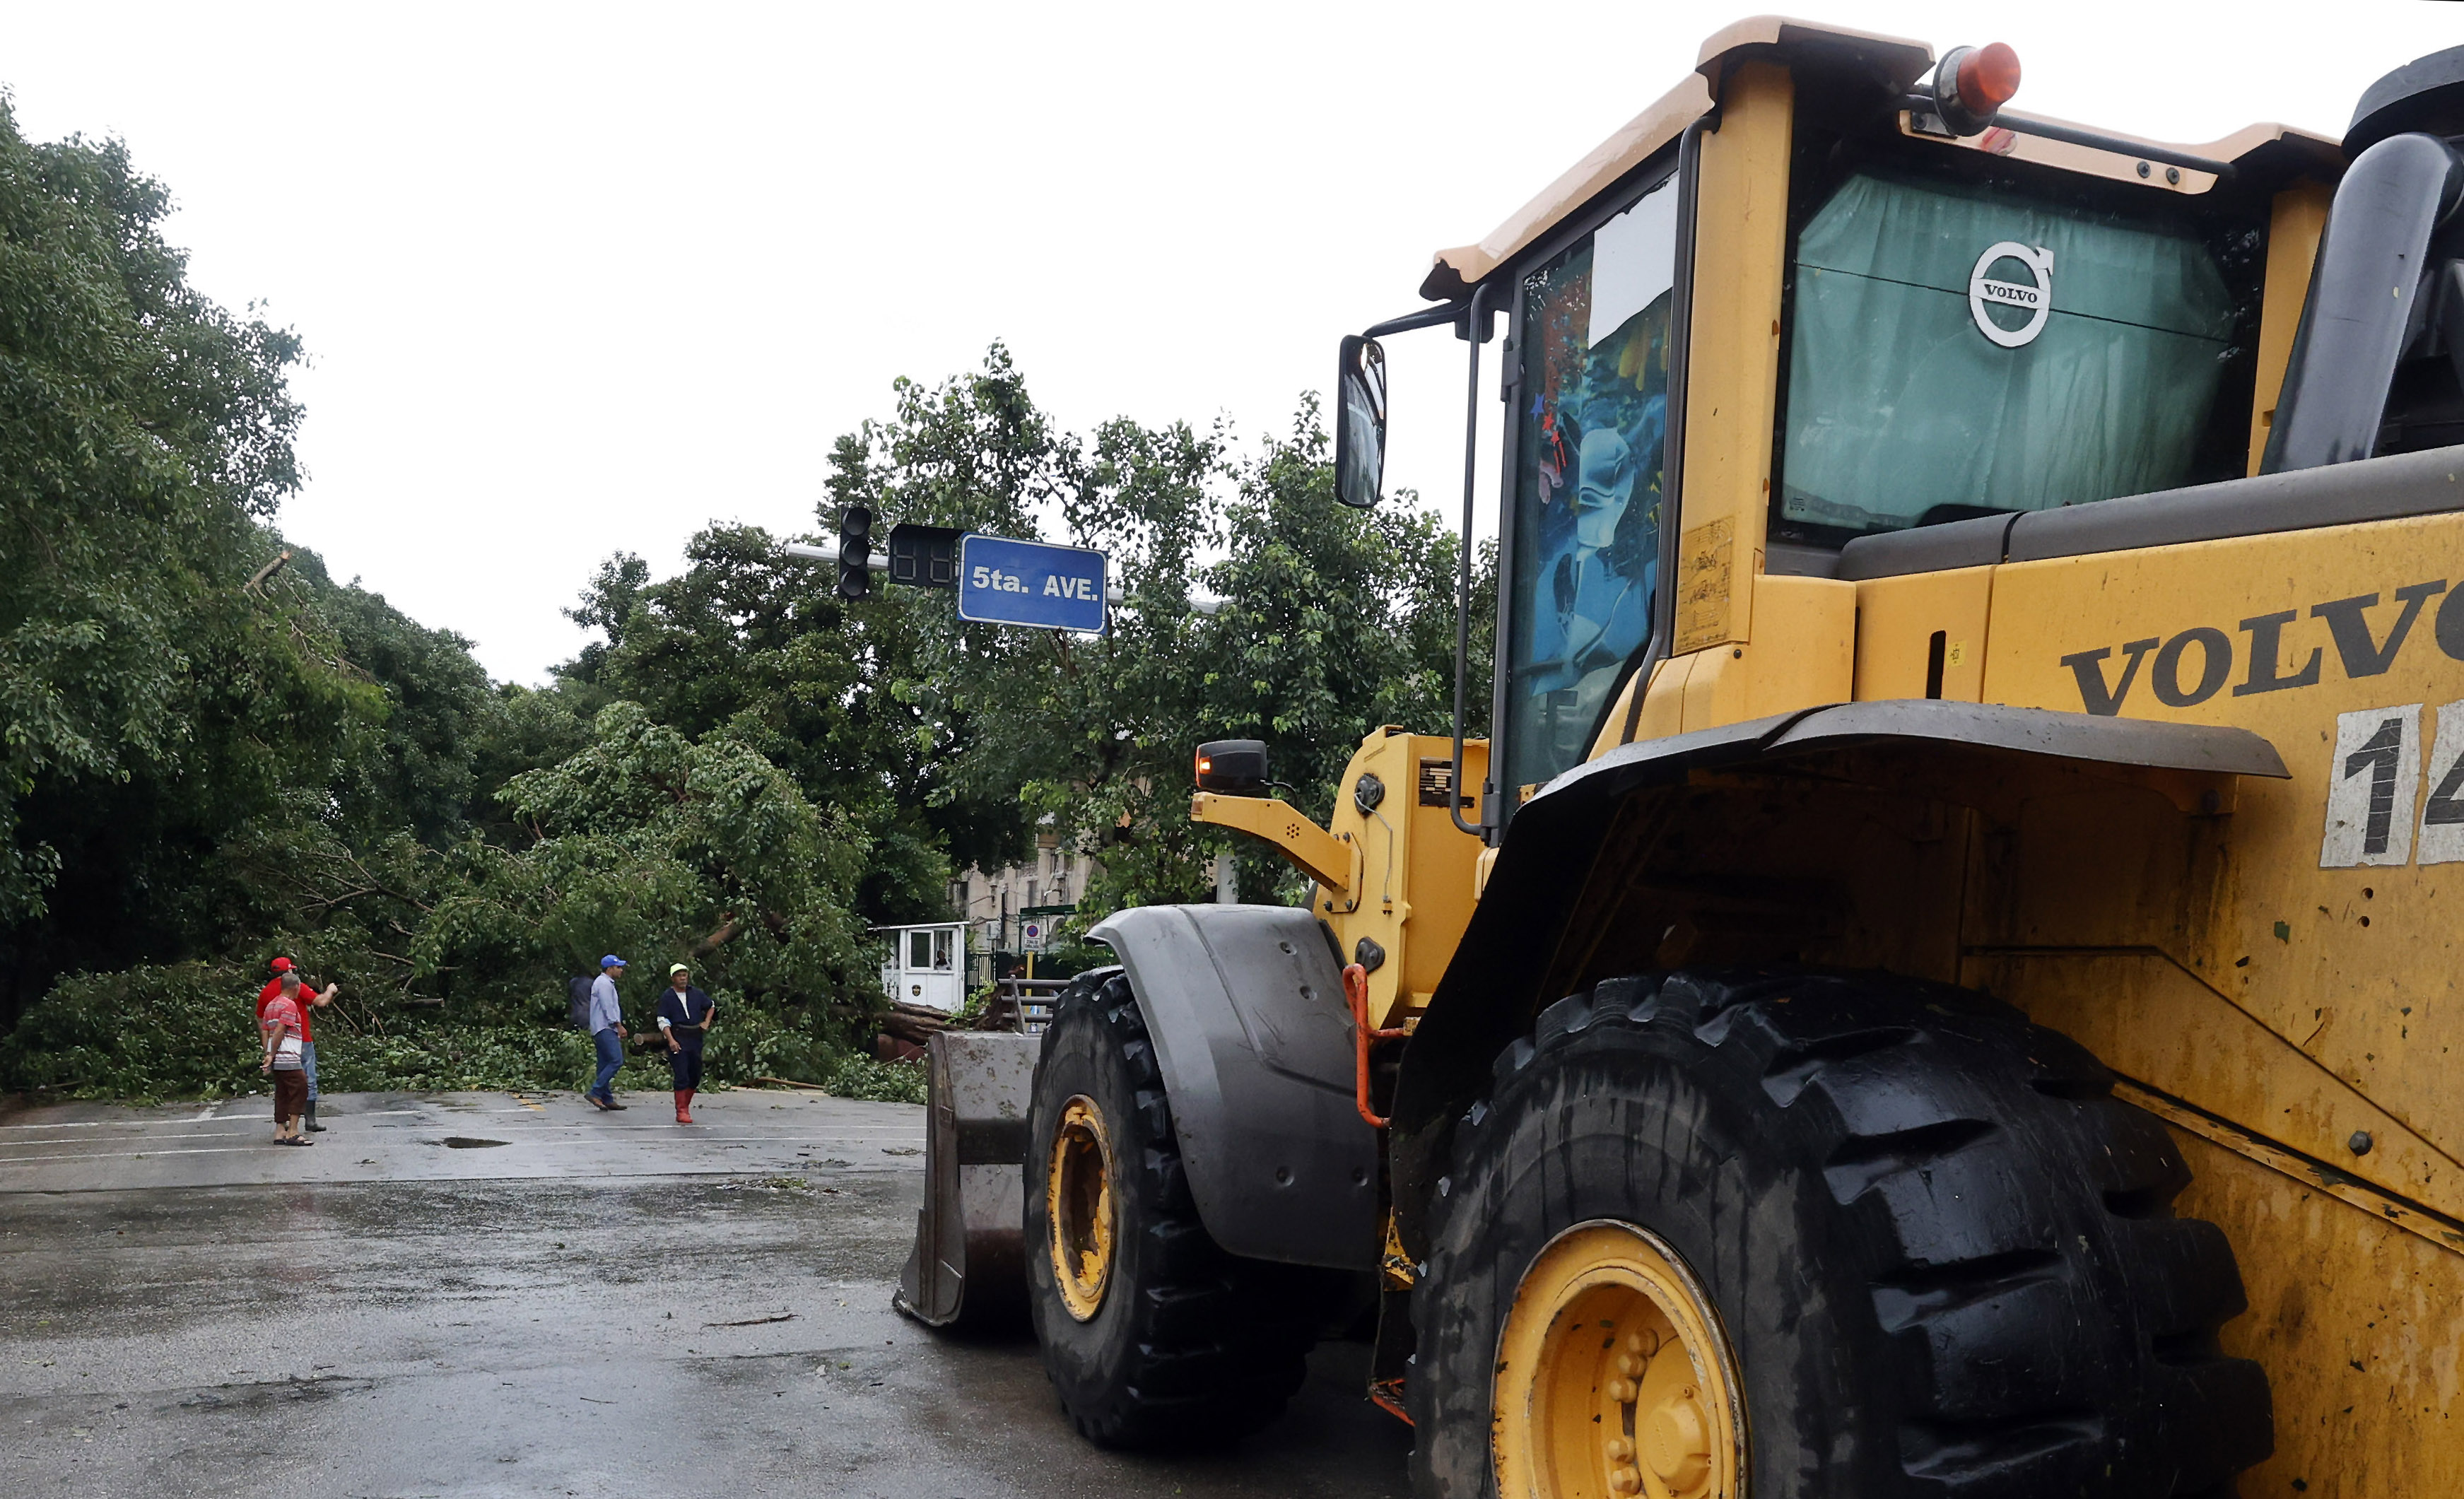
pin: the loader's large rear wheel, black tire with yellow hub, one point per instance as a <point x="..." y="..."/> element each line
<point x="1931" y="1256"/>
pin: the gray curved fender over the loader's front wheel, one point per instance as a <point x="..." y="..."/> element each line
<point x="1246" y="1010"/>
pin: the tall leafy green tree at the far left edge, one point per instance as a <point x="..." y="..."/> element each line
<point x="144" y="435"/>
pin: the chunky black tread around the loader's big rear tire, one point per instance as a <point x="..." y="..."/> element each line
<point x="2051" y="1323"/>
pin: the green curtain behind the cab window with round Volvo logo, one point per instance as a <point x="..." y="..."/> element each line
<point x="1899" y="403"/>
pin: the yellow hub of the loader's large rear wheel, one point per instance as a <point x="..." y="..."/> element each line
<point x="1615" y="1377"/>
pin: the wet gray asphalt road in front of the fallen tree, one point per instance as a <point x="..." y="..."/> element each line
<point x="598" y="1305"/>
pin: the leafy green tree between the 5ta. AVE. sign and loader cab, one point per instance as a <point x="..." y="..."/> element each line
<point x="1334" y="623"/>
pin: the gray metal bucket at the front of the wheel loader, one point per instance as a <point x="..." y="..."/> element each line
<point x="970" y="1259"/>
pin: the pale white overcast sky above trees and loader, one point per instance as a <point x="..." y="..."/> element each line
<point x="583" y="280"/>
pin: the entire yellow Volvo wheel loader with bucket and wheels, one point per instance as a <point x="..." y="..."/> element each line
<point x="1945" y="975"/>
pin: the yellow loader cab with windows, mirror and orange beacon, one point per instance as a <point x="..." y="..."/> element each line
<point x="1793" y="307"/>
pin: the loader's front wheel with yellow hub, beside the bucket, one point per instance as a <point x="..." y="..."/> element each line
<point x="1152" y="1333"/>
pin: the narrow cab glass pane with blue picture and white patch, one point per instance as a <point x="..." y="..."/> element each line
<point x="1591" y="452"/>
